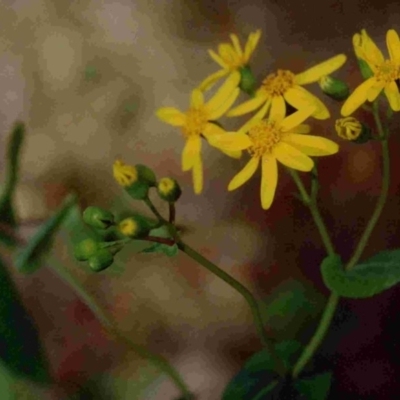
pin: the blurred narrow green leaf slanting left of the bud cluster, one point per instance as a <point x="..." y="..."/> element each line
<point x="30" y="258"/>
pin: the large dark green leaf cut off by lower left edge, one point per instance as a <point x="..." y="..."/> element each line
<point x="20" y="348"/>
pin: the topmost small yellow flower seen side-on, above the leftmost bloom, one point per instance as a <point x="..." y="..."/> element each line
<point x="231" y="57"/>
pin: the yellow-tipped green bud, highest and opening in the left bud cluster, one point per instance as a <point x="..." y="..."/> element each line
<point x="130" y="178"/>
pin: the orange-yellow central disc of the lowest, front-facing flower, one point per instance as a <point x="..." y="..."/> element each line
<point x="265" y="136"/>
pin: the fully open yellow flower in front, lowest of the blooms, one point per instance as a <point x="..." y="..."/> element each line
<point x="271" y="140"/>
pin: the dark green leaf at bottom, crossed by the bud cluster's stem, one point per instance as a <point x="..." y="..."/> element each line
<point x="257" y="377"/>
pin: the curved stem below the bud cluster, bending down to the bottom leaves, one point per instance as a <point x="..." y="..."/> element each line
<point x="251" y="301"/>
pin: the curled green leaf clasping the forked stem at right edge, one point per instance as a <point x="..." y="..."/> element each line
<point x="372" y="277"/>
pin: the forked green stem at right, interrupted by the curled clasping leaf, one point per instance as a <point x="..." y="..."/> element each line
<point x="333" y="300"/>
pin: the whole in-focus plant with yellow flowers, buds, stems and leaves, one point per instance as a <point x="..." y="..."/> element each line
<point x="276" y="134"/>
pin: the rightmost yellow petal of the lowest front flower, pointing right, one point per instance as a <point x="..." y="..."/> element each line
<point x="311" y="145"/>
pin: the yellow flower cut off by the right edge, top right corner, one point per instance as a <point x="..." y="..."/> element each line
<point x="385" y="72"/>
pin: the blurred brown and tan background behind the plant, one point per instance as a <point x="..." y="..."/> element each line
<point x="86" y="77"/>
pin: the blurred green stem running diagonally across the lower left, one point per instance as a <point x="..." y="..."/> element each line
<point x="158" y="360"/>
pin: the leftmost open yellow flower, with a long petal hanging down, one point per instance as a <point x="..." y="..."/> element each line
<point x="196" y="123"/>
